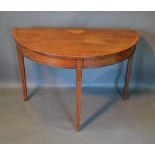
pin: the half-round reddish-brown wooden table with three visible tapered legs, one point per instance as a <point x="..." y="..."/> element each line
<point x="75" y="49"/>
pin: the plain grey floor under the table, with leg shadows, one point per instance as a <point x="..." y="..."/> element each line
<point x="48" y="116"/>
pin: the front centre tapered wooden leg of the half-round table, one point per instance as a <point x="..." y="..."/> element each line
<point x="78" y="93"/>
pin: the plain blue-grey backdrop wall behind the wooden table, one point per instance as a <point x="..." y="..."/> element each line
<point x="143" y="75"/>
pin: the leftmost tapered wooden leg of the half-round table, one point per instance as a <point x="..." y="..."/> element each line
<point x="22" y="75"/>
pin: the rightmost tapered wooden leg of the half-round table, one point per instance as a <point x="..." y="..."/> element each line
<point x="127" y="78"/>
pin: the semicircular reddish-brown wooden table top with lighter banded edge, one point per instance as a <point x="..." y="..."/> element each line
<point x="76" y="43"/>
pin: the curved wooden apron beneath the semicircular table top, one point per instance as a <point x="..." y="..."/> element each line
<point x="72" y="63"/>
